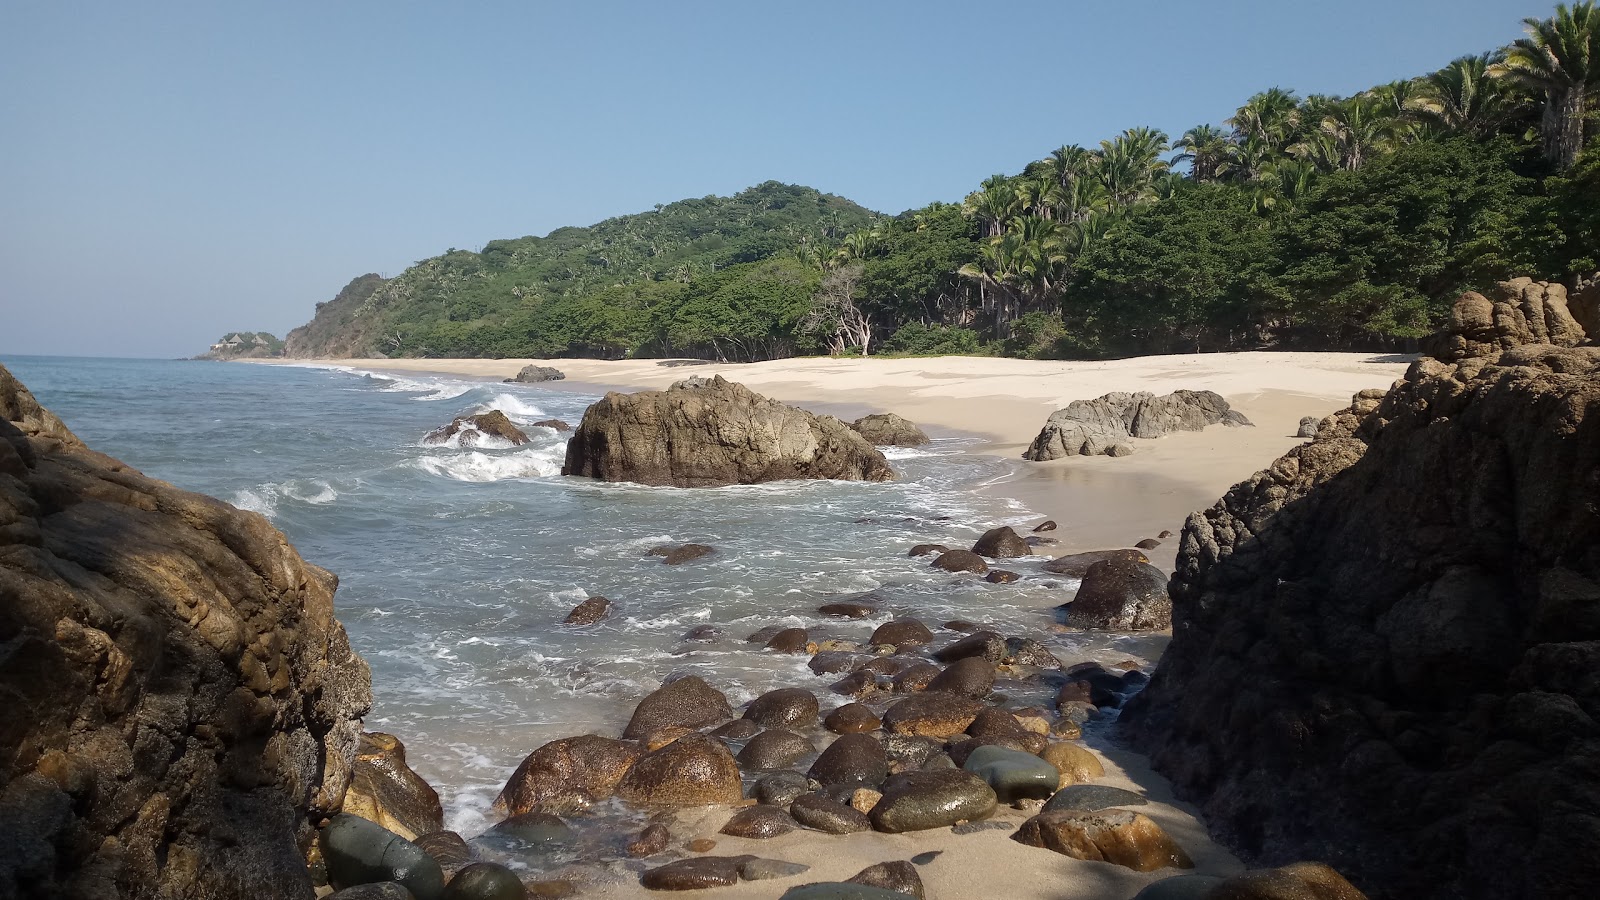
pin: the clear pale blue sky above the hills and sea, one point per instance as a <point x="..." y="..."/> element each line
<point x="170" y="172"/>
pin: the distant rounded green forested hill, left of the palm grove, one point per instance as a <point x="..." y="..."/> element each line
<point x="631" y="284"/>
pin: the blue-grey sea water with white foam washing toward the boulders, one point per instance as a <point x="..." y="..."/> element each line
<point x="458" y="565"/>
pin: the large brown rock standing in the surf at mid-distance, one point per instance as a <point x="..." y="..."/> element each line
<point x="711" y="435"/>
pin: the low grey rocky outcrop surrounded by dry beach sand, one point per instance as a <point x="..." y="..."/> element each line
<point x="1105" y="425"/>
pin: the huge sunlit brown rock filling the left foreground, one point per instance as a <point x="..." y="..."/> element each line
<point x="180" y="702"/>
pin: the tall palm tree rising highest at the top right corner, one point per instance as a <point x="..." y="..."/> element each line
<point x="1561" y="60"/>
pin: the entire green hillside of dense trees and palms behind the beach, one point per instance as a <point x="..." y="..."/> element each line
<point x="1311" y="222"/>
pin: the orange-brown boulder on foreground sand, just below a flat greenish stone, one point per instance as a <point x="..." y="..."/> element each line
<point x="1114" y="837"/>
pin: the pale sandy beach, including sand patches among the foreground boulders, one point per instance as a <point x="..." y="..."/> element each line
<point x="1098" y="502"/>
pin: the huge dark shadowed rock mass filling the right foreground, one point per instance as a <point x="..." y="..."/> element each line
<point x="1385" y="646"/>
